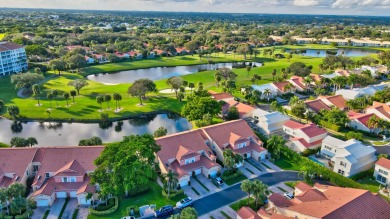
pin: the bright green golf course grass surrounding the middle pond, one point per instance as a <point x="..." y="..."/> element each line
<point x="86" y="109"/>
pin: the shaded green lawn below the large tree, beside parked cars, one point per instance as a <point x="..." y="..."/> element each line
<point x="154" y="196"/>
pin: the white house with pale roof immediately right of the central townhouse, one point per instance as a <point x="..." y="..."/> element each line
<point x="269" y="122"/>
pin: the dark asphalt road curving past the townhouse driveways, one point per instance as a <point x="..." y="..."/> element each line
<point x="232" y="194"/>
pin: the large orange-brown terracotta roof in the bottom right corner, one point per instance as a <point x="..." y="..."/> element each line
<point x="336" y="202"/>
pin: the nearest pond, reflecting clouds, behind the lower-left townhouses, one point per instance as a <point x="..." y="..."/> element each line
<point x="69" y="134"/>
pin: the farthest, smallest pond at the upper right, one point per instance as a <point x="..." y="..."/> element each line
<point x="345" y="52"/>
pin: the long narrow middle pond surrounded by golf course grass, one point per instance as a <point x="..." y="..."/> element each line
<point x="156" y="73"/>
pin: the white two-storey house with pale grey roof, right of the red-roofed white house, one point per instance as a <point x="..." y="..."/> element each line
<point x="348" y="157"/>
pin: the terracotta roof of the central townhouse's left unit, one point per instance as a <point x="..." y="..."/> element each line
<point x="176" y="145"/>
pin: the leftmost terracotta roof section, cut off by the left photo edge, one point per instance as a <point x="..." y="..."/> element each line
<point x="14" y="161"/>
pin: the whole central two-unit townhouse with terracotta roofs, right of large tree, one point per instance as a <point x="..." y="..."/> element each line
<point x="195" y="152"/>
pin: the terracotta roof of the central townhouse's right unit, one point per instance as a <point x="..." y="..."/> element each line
<point x="220" y="133"/>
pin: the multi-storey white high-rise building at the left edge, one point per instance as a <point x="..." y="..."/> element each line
<point x="12" y="58"/>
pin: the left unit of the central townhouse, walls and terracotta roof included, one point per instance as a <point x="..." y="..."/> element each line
<point x="187" y="154"/>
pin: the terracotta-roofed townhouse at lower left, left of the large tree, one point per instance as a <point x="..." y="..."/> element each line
<point x="57" y="172"/>
